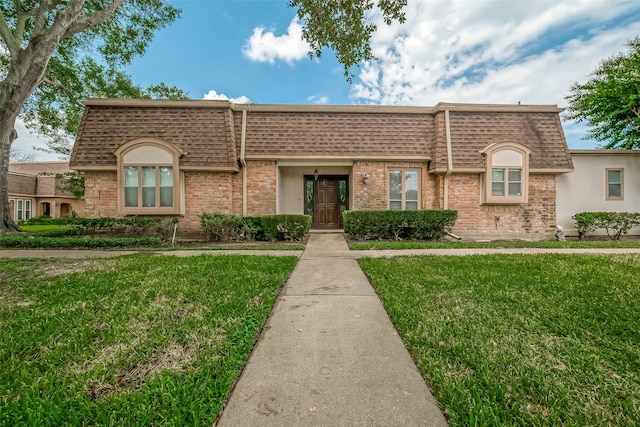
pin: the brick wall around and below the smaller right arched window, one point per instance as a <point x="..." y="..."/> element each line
<point x="534" y="220"/>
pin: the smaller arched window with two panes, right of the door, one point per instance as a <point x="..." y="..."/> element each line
<point x="507" y="176"/>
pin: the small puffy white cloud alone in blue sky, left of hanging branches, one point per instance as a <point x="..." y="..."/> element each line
<point x="265" y="46"/>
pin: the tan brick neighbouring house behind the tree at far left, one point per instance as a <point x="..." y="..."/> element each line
<point x="34" y="190"/>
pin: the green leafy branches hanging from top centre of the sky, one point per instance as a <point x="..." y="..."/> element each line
<point x="343" y="26"/>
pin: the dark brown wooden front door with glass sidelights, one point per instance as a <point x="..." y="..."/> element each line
<point x="326" y="199"/>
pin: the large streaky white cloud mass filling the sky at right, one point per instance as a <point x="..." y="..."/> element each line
<point x="493" y="51"/>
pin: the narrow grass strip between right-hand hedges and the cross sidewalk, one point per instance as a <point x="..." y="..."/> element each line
<point x="381" y="245"/>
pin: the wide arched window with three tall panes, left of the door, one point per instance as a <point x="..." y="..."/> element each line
<point x="148" y="177"/>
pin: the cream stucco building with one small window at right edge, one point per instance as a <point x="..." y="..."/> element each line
<point x="603" y="181"/>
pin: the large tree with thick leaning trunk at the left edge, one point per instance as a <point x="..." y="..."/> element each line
<point x="55" y="53"/>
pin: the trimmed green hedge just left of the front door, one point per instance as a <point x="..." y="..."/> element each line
<point x="225" y="228"/>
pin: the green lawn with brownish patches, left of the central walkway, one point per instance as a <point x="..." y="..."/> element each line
<point x="135" y="340"/>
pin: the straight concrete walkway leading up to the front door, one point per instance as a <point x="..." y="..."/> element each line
<point x="329" y="354"/>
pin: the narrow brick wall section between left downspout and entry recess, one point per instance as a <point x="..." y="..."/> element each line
<point x="261" y="187"/>
